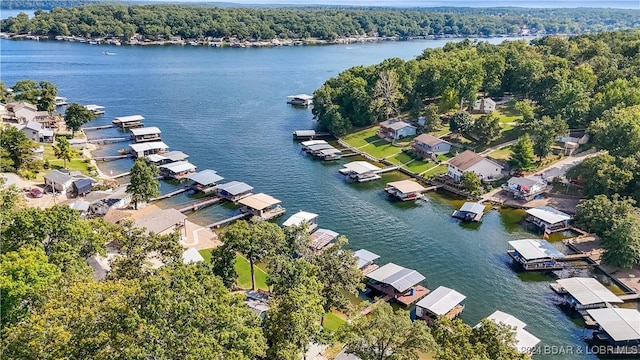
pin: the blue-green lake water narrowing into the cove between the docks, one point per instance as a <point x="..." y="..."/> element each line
<point x="227" y="109"/>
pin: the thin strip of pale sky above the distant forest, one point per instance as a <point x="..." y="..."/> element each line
<point x="626" y="4"/>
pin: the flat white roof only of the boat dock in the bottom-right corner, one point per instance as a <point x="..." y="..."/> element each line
<point x="620" y="324"/>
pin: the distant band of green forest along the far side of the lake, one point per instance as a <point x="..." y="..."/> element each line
<point x="155" y="21"/>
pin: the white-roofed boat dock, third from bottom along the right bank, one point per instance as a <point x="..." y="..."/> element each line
<point x="534" y="254"/>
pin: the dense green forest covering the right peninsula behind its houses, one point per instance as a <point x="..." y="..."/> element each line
<point x="587" y="82"/>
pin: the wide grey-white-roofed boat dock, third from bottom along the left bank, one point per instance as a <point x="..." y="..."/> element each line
<point x="397" y="283"/>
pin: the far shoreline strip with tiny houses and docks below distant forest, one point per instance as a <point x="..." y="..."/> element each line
<point x="138" y="40"/>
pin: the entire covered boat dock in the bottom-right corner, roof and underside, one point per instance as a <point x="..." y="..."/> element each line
<point x="617" y="327"/>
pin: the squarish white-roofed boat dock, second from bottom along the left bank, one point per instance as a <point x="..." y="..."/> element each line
<point x="443" y="301"/>
